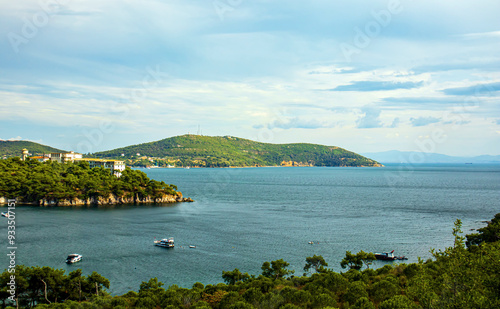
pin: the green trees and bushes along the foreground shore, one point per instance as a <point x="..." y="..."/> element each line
<point x="466" y="275"/>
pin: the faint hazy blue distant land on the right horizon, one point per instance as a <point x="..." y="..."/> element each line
<point x="413" y="157"/>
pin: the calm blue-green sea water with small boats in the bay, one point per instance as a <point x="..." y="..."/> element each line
<point x="244" y="217"/>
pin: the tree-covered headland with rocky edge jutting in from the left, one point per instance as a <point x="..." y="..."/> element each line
<point x="74" y="184"/>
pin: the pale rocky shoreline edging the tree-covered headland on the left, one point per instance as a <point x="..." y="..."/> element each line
<point x="103" y="201"/>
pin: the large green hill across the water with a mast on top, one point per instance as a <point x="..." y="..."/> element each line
<point x="207" y="151"/>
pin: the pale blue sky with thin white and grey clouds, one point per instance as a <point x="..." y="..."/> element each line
<point x="367" y="76"/>
